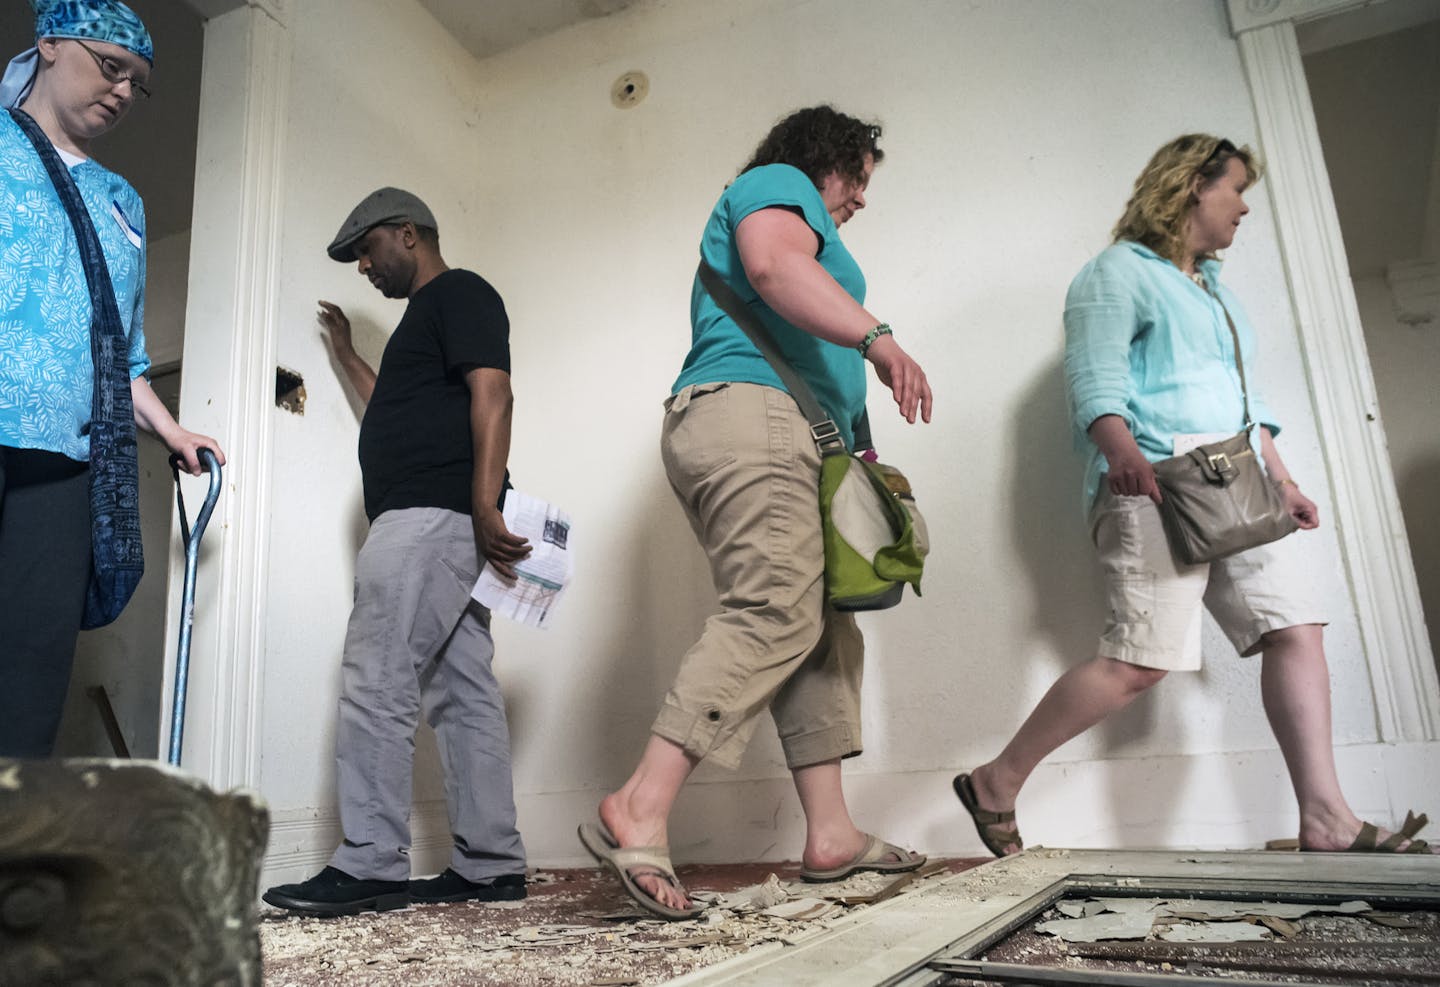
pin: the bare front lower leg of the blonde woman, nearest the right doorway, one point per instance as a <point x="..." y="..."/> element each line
<point x="1295" y="687"/>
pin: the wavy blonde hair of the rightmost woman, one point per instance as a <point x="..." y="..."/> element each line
<point x="1164" y="194"/>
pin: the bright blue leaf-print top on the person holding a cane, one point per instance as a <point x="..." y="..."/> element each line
<point x="47" y="370"/>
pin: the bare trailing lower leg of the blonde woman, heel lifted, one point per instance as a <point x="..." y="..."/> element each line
<point x="1079" y="700"/>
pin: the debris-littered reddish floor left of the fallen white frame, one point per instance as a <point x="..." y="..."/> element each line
<point x="577" y="927"/>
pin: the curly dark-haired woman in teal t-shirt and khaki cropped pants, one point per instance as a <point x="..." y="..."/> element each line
<point x="742" y="462"/>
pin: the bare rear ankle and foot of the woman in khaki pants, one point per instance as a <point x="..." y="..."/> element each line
<point x="639" y="815"/>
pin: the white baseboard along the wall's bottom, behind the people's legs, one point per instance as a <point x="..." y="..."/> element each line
<point x="1222" y="800"/>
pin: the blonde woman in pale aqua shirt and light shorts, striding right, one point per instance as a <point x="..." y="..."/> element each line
<point x="1151" y="370"/>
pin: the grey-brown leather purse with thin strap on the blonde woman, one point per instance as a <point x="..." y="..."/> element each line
<point x="1216" y="499"/>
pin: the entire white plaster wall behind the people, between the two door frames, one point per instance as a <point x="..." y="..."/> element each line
<point x="1014" y="132"/>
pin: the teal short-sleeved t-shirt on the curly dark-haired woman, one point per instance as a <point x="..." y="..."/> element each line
<point x="721" y="351"/>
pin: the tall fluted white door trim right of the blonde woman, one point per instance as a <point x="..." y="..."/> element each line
<point x="1369" y="519"/>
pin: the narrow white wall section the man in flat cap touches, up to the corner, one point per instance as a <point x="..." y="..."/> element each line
<point x="411" y="123"/>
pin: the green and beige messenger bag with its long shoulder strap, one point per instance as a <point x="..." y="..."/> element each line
<point x="875" y="537"/>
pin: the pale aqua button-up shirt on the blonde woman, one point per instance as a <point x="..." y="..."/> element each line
<point x="1146" y="342"/>
